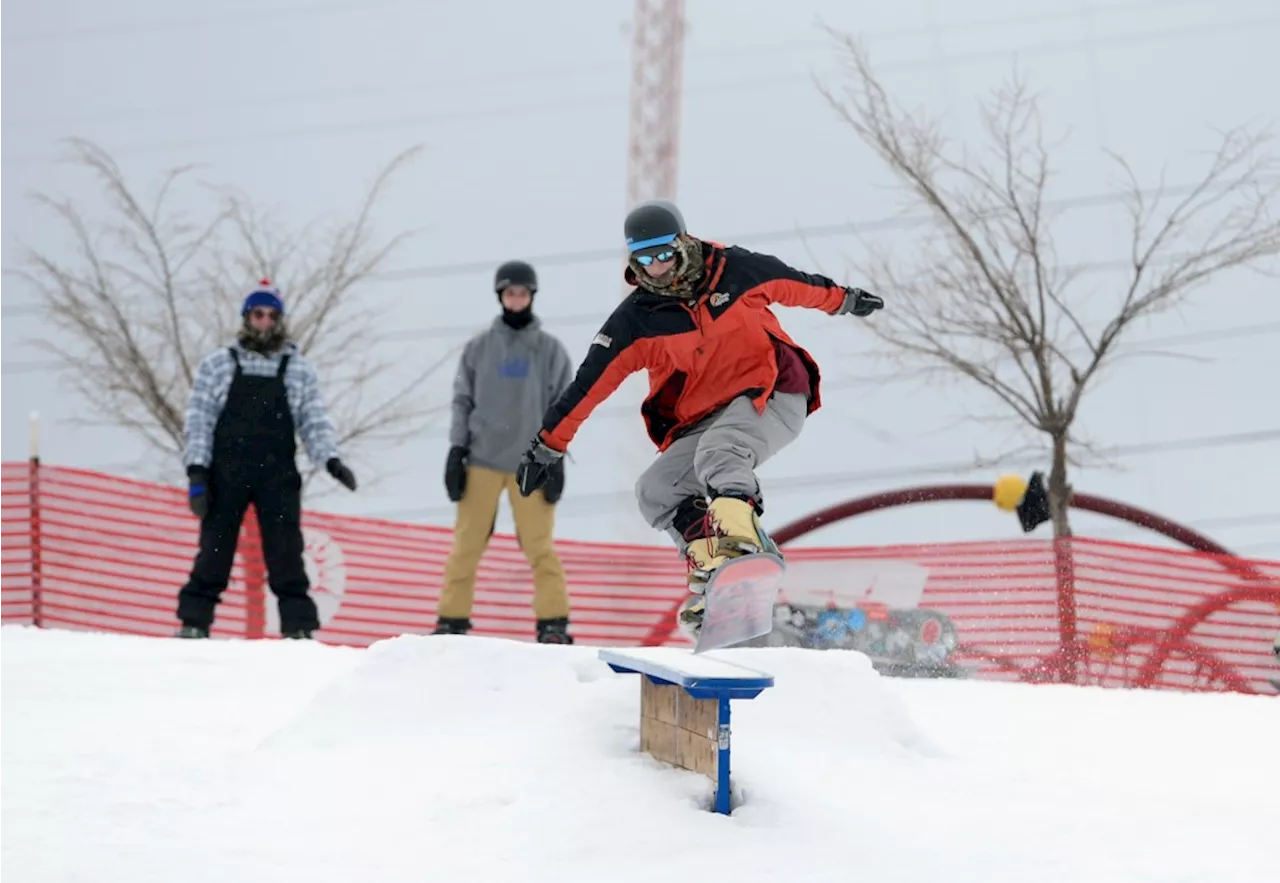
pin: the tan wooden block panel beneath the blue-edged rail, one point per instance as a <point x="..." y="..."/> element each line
<point x="679" y="730"/>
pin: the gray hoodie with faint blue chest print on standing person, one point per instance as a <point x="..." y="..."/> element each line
<point x="506" y="382"/>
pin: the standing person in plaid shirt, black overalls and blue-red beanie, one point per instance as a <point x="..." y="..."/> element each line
<point x="248" y="406"/>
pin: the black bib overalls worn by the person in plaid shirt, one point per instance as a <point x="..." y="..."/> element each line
<point x="253" y="463"/>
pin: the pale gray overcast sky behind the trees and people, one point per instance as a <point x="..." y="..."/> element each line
<point x="523" y="113"/>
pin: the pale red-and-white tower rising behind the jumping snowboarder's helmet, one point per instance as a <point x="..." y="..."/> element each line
<point x="653" y="143"/>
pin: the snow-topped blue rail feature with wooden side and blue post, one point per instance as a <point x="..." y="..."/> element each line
<point x="685" y="708"/>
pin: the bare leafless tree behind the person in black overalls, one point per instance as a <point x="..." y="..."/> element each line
<point x="154" y="289"/>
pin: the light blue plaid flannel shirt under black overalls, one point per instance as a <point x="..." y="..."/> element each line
<point x="214" y="381"/>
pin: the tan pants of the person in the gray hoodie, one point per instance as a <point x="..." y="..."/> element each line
<point x="536" y="524"/>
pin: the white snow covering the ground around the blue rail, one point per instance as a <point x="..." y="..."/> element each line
<point x="132" y="760"/>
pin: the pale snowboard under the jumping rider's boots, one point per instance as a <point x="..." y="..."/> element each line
<point x="740" y="600"/>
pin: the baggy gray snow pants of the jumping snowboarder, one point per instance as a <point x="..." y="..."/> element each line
<point x="720" y="454"/>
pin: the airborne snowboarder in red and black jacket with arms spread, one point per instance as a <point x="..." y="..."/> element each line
<point x="729" y="388"/>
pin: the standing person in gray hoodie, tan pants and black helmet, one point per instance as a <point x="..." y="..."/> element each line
<point x="508" y="378"/>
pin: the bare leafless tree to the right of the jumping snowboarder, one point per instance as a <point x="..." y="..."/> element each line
<point x="985" y="296"/>
